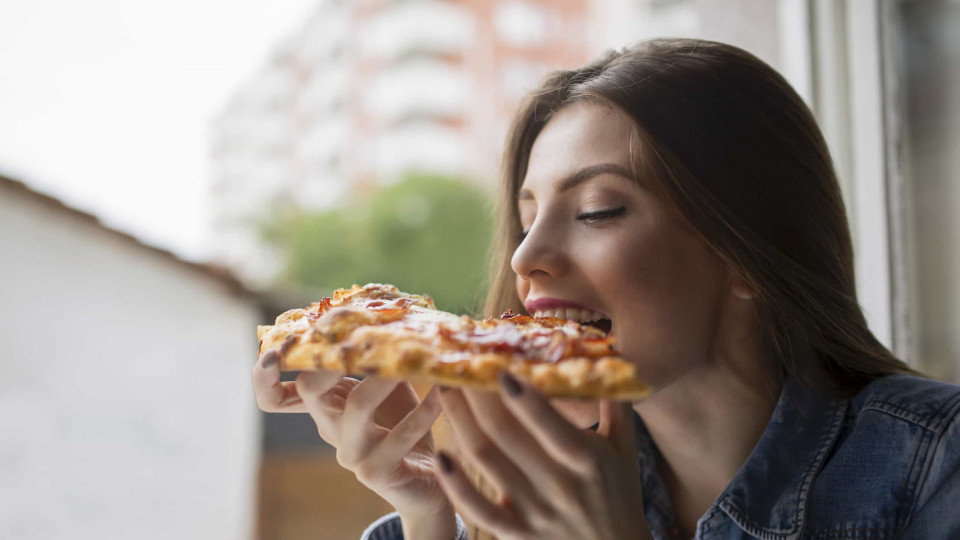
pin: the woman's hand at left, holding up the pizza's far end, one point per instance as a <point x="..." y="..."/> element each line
<point x="381" y="431"/>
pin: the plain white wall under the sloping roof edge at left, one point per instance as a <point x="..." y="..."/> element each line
<point x="126" y="409"/>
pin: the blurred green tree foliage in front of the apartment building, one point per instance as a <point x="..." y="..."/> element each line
<point x="426" y="234"/>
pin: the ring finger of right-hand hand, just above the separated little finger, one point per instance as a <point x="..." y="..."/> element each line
<point x="493" y="463"/>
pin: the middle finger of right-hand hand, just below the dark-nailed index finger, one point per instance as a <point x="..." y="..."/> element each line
<point x="499" y="424"/>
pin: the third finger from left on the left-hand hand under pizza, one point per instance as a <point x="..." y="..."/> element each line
<point x="358" y="431"/>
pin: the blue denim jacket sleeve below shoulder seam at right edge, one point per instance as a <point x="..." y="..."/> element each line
<point x="935" y="513"/>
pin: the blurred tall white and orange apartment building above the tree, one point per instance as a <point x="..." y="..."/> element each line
<point x="366" y="92"/>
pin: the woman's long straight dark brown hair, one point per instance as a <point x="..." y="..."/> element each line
<point x="737" y="151"/>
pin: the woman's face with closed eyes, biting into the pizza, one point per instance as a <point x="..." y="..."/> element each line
<point x="609" y="244"/>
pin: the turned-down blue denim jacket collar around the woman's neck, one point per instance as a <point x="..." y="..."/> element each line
<point x="768" y="495"/>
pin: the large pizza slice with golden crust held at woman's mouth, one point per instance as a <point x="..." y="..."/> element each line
<point x="377" y="329"/>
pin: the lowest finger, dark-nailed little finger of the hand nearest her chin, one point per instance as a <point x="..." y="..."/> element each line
<point x="477" y="508"/>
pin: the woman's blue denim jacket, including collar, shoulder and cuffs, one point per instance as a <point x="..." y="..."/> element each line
<point x="885" y="464"/>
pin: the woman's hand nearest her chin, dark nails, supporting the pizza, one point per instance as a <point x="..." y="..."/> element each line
<point x="554" y="480"/>
